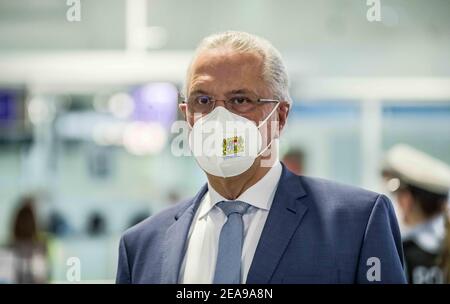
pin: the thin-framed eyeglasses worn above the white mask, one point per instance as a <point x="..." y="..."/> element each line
<point x="204" y="104"/>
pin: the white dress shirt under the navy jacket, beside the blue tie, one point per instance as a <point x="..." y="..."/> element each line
<point x="199" y="262"/>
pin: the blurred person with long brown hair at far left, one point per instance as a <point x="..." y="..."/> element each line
<point x="28" y="245"/>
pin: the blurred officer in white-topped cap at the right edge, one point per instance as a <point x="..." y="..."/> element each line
<point x="421" y="186"/>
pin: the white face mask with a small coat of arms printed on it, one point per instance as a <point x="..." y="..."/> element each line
<point x="226" y="144"/>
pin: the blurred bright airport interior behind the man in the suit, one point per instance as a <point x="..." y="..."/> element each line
<point x="86" y="109"/>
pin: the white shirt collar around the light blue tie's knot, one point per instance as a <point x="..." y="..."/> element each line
<point x="260" y="195"/>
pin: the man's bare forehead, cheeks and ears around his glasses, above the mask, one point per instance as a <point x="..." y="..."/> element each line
<point x="223" y="73"/>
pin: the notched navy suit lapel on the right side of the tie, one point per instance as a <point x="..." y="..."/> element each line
<point x="284" y="217"/>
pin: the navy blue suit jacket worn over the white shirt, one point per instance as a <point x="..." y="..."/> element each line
<point x="317" y="231"/>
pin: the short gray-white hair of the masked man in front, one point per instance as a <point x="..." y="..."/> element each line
<point x="274" y="70"/>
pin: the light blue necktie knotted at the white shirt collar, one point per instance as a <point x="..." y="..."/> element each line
<point x="228" y="266"/>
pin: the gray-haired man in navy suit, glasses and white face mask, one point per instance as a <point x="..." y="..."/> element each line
<point x="254" y="221"/>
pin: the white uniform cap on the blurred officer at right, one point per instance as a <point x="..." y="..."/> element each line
<point x="418" y="169"/>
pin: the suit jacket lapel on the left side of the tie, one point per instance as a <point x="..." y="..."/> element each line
<point x="175" y="240"/>
